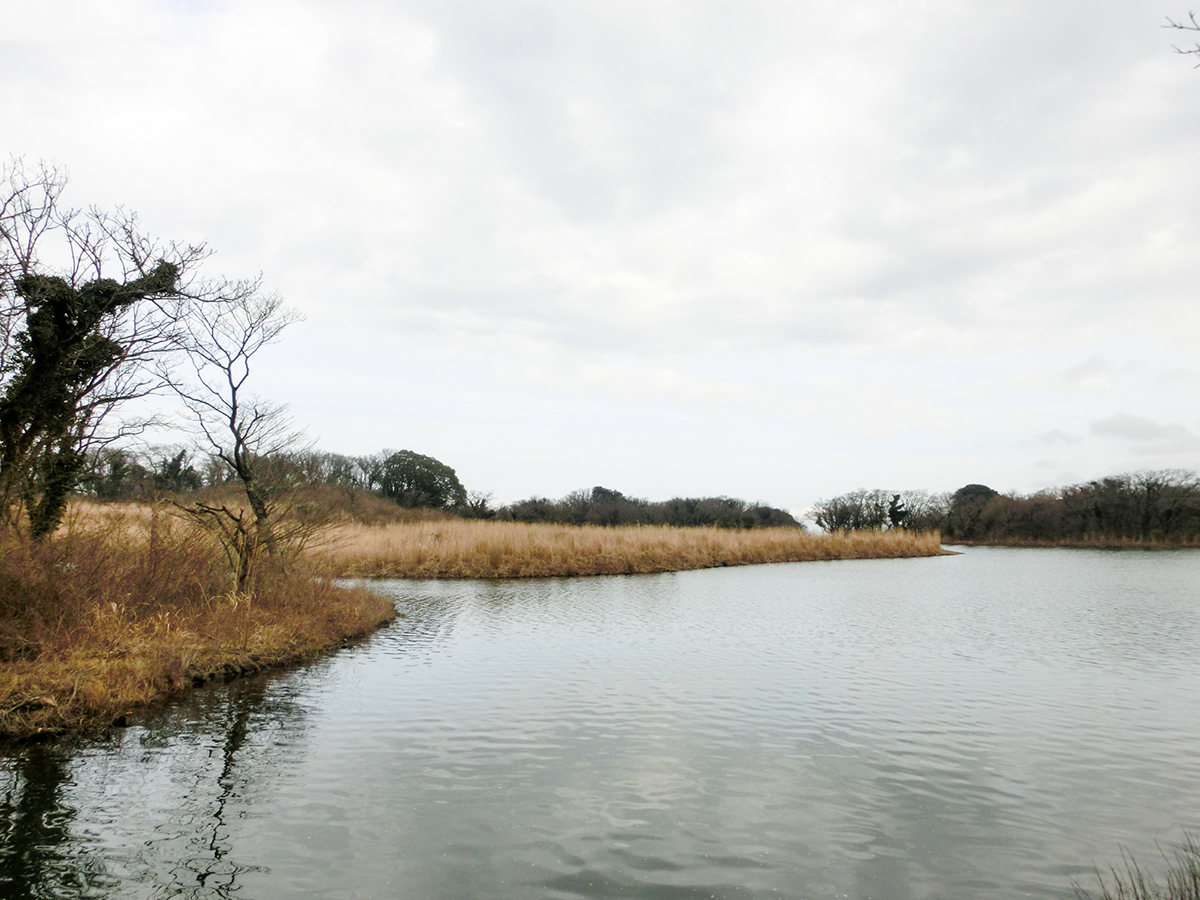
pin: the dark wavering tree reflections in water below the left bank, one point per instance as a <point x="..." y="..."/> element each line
<point x="167" y="793"/>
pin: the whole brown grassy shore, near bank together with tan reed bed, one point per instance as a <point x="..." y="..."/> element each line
<point x="124" y="616"/>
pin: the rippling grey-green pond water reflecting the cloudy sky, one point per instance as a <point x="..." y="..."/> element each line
<point x="989" y="725"/>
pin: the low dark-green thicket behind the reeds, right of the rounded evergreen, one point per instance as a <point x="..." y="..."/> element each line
<point x="605" y="507"/>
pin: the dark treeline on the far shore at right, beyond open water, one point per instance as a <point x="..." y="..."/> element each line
<point x="1150" y="507"/>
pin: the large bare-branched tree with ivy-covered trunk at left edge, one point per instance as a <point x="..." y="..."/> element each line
<point x="88" y="303"/>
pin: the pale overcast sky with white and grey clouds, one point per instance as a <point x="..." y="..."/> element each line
<point x="770" y="250"/>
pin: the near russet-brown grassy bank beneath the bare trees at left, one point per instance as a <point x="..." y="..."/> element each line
<point x="124" y="611"/>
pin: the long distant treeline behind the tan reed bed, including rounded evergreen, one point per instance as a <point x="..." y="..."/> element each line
<point x="416" y="482"/>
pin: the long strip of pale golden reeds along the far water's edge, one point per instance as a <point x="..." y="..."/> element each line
<point x="512" y="550"/>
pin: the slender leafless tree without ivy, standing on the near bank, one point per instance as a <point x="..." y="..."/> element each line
<point x="250" y="436"/>
